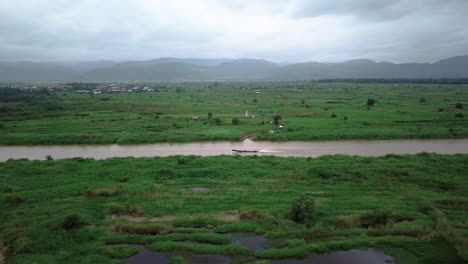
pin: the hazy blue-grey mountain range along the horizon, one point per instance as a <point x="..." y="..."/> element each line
<point x="178" y="69"/>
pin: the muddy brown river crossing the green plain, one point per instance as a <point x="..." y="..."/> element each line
<point x="284" y="149"/>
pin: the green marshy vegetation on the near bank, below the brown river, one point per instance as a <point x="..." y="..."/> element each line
<point x="412" y="207"/>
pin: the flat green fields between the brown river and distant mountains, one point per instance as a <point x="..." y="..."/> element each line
<point x="306" y="110"/>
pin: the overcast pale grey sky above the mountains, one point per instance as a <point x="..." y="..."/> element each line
<point x="278" y="30"/>
